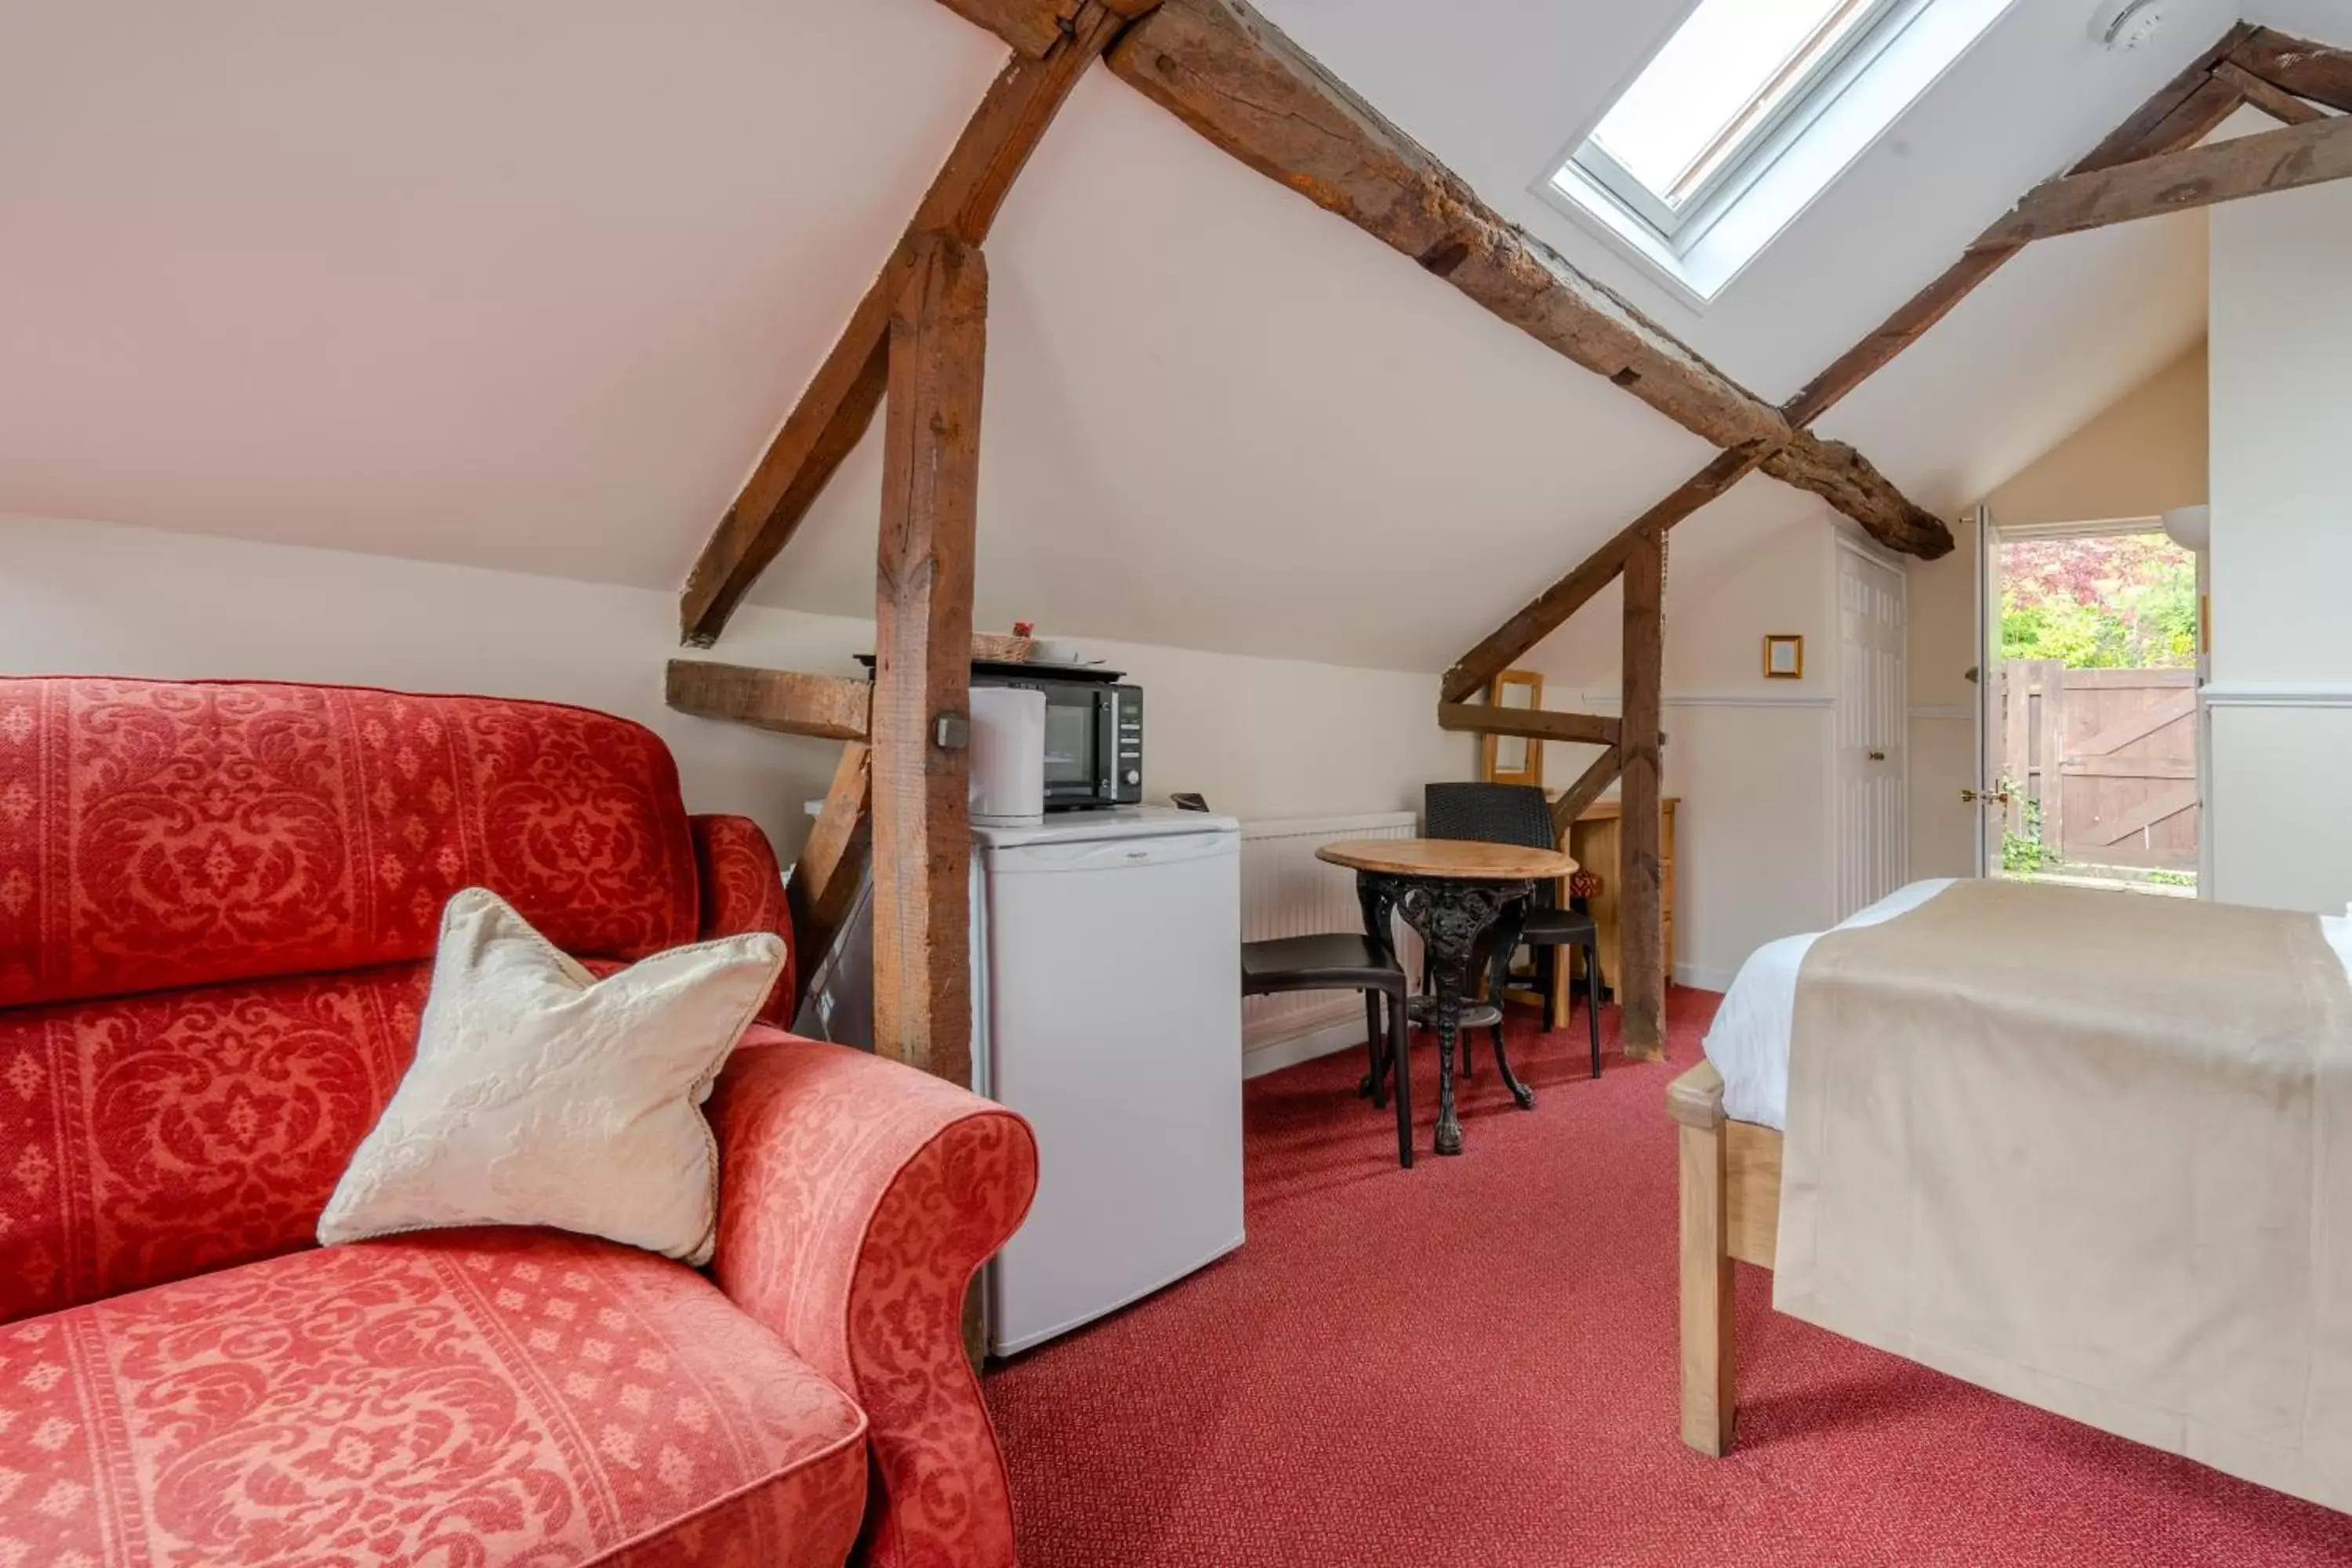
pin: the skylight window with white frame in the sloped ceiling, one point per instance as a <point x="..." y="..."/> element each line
<point x="1749" y="112"/>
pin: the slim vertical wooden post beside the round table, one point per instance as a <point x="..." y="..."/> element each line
<point x="1643" y="911"/>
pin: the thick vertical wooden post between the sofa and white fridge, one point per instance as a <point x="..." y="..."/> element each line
<point x="923" y="662"/>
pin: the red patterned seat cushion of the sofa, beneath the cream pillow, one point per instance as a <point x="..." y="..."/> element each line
<point x="469" y="1398"/>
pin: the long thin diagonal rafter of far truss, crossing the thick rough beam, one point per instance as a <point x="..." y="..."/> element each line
<point x="2177" y="116"/>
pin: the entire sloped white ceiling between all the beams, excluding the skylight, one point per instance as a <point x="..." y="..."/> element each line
<point x="533" y="286"/>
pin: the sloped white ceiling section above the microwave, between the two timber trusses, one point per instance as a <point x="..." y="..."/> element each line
<point x="1222" y="417"/>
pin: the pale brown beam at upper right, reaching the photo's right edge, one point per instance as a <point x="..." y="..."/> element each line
<point x="2198" y="177"/>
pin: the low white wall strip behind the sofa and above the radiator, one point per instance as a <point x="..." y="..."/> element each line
<point x="1259" y="737"/>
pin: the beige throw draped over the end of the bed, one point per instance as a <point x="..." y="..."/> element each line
<point x="2094" y="1153"/>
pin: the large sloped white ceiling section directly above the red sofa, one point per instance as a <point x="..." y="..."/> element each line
<point x="514" y="286"/>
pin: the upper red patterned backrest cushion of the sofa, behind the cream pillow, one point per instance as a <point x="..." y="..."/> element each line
<point x="182" y="833"/>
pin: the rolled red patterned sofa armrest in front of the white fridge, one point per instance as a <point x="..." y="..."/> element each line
<point x="857" y="1200"/>
